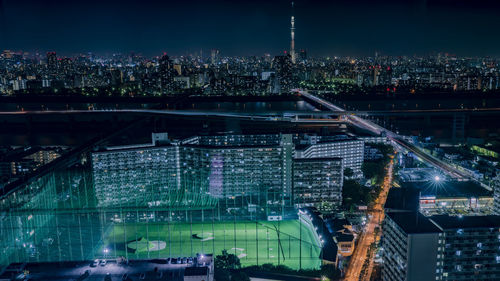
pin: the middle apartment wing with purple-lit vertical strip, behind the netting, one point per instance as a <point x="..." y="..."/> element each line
<point x="228" y="172"/>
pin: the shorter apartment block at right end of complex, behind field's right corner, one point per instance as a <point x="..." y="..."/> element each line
<point x="318" y="182"/>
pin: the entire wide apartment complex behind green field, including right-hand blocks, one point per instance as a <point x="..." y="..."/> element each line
<point x="261" y="168"/>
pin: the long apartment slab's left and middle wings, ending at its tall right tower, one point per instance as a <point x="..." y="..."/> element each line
<point x="223" y="167"/>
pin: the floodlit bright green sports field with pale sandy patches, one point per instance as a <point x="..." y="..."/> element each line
<point x="291" y="243"/>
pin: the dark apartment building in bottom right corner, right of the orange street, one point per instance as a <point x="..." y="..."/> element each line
<point x="440" y="247"/>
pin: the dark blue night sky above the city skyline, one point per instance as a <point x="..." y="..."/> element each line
<point x="238" y="27"/>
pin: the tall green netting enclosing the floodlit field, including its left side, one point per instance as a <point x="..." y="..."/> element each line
<point x="58" y="217"/>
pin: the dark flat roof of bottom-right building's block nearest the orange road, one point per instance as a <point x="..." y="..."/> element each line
<point x="413" y="222"/>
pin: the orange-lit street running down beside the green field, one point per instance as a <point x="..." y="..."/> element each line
<point x="376" y="216"/>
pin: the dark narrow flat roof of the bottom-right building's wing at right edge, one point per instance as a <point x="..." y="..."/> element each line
<point x="455" y="222"/>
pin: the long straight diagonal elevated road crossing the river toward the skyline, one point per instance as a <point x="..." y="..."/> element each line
<point x="395" y="138"/>
